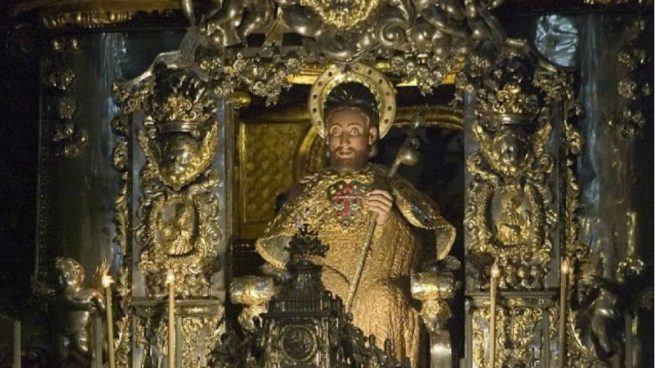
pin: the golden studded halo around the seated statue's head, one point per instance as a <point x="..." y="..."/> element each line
<point x="376" y="82"/>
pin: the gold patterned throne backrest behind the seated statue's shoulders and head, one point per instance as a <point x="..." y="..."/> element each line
<point x="277" y="147"/>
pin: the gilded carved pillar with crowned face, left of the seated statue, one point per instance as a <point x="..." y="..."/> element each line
<point x="178" y="224"/>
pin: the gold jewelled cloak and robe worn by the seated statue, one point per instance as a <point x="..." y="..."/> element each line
<point x="334" y="206"/>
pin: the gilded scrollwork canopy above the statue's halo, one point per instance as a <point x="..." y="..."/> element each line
<point x="421" y="42"/>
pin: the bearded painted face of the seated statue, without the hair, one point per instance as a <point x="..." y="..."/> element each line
<point x="350" y="137"/>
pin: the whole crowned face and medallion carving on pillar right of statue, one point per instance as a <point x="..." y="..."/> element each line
<point x="509" y="212"/>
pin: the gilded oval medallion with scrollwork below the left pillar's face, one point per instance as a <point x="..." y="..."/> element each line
<point x="181" y="235"/>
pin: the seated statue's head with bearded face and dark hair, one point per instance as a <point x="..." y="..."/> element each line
<point x="351" y="126"/>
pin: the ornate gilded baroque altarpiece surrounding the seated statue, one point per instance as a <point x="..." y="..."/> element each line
<point x="205" y="138"/>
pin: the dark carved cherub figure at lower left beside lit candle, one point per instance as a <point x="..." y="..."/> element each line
<point x="74" y="305"/>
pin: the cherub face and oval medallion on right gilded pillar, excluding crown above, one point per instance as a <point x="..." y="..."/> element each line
<point x="508" y="214"/>
